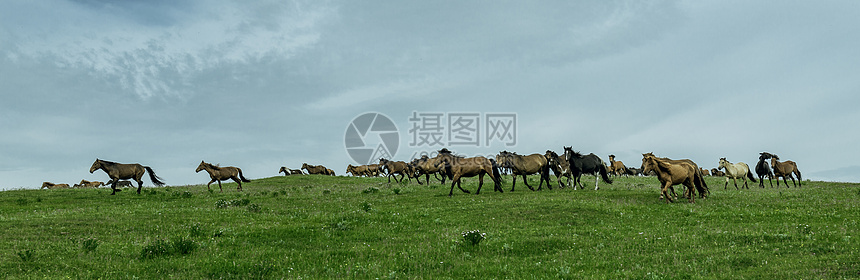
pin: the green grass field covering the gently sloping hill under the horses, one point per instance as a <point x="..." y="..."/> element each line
<point x="316" y="227"/>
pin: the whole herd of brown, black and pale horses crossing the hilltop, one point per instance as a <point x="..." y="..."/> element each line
<point x="448" y="166"/>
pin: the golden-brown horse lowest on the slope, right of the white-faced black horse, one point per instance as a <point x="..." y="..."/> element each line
<point x="673" y="173"/>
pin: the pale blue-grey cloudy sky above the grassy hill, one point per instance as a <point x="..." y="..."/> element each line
<point x="265" y="84"/>
